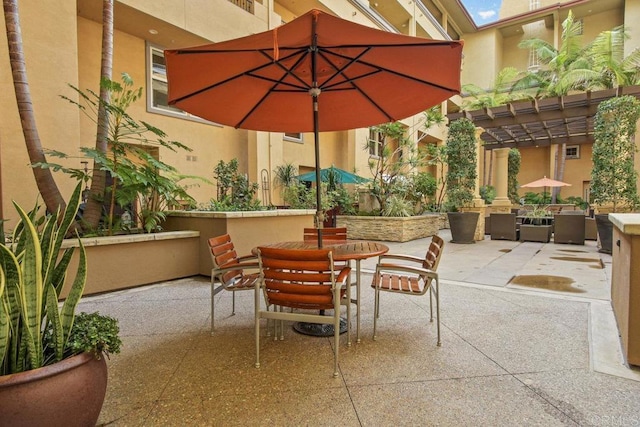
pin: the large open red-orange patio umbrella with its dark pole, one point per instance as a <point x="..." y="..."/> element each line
<point x="316" y="73"/>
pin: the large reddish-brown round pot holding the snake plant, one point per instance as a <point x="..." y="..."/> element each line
<point x="68" y="393"/>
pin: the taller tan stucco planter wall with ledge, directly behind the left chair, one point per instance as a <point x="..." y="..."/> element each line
<point x="247" y="229"/>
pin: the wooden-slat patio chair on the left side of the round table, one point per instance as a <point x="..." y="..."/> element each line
<point x="233" y="272"/>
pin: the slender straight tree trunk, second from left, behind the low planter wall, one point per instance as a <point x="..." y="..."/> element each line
<point x="93" y="210"/>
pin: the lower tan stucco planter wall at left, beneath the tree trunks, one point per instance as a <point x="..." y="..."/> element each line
<point x="119" y="262"/>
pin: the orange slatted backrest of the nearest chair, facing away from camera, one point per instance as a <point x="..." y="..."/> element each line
<point x="298" y="278"/>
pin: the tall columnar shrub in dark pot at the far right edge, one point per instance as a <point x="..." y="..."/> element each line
<point x="613" y="177"/>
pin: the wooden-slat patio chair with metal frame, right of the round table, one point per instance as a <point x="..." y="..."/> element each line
<point x="410" y="275"/>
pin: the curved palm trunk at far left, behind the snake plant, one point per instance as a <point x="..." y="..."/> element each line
<point x="47" y="187"/>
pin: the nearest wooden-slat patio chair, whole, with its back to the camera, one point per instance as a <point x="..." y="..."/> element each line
<point x="301" y="280"/>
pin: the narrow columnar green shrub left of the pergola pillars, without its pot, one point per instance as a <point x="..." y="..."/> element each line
<point x="461" y="158"/>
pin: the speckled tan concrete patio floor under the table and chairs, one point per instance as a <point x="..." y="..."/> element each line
<point x="511" y="354"/>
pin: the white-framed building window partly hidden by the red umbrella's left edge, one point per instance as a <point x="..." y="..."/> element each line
<point x="157" y="87"/>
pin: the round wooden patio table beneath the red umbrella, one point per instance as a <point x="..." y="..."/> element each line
<point x="342" y="250"/>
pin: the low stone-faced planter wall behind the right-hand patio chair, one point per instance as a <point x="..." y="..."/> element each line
<point x="391" y="229"/>
